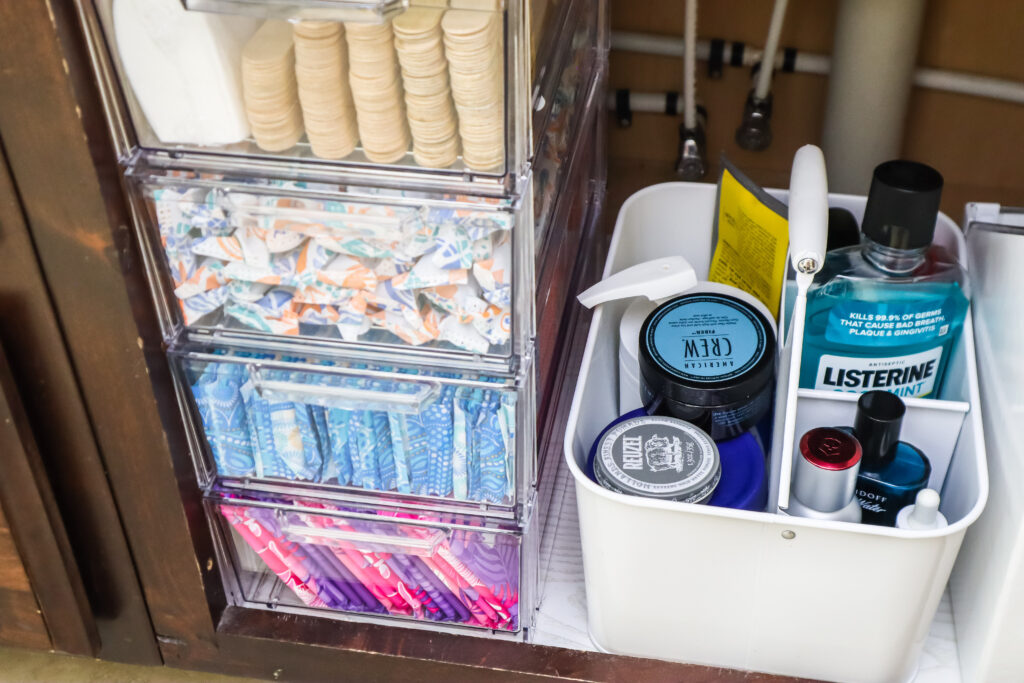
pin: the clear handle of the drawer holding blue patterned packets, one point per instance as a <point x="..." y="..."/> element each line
<point x="347" y="398"/>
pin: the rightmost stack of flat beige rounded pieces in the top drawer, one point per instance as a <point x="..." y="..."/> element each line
<point x="474" y="47"/>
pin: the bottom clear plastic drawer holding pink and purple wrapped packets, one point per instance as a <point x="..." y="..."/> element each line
<point x="429" y="571"/>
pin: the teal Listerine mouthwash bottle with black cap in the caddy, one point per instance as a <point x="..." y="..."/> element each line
<point x="885" y="315"/>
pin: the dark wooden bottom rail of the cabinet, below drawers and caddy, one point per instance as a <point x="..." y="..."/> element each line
<point x="429" y="658"/>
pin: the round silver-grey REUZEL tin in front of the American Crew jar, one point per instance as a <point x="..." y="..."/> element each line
<point x="658" y="457"/>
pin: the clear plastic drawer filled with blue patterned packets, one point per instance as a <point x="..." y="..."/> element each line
<point x="400" y="435"/>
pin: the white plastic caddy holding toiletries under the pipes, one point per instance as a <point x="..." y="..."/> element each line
<point x="754" y="590"/>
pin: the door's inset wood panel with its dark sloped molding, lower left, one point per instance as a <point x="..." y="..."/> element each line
<point x="42" y="601"/>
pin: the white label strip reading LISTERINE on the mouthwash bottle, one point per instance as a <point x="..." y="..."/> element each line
<point x="910" y="376"/>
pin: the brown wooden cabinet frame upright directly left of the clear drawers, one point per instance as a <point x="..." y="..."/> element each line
<point x="51" y="132"/>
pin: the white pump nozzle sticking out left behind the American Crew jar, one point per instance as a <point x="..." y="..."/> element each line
<point x="660" y="279"/>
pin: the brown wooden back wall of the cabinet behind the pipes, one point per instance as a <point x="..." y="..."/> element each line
<point x="974" y="142"/>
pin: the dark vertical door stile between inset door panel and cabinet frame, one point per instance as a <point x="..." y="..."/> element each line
<point x="40" y="367"/>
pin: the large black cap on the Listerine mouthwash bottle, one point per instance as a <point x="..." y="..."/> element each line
<point x="903" y="205"/>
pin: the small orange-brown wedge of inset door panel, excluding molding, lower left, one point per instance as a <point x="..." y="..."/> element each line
<point x="22" y="622"/>
